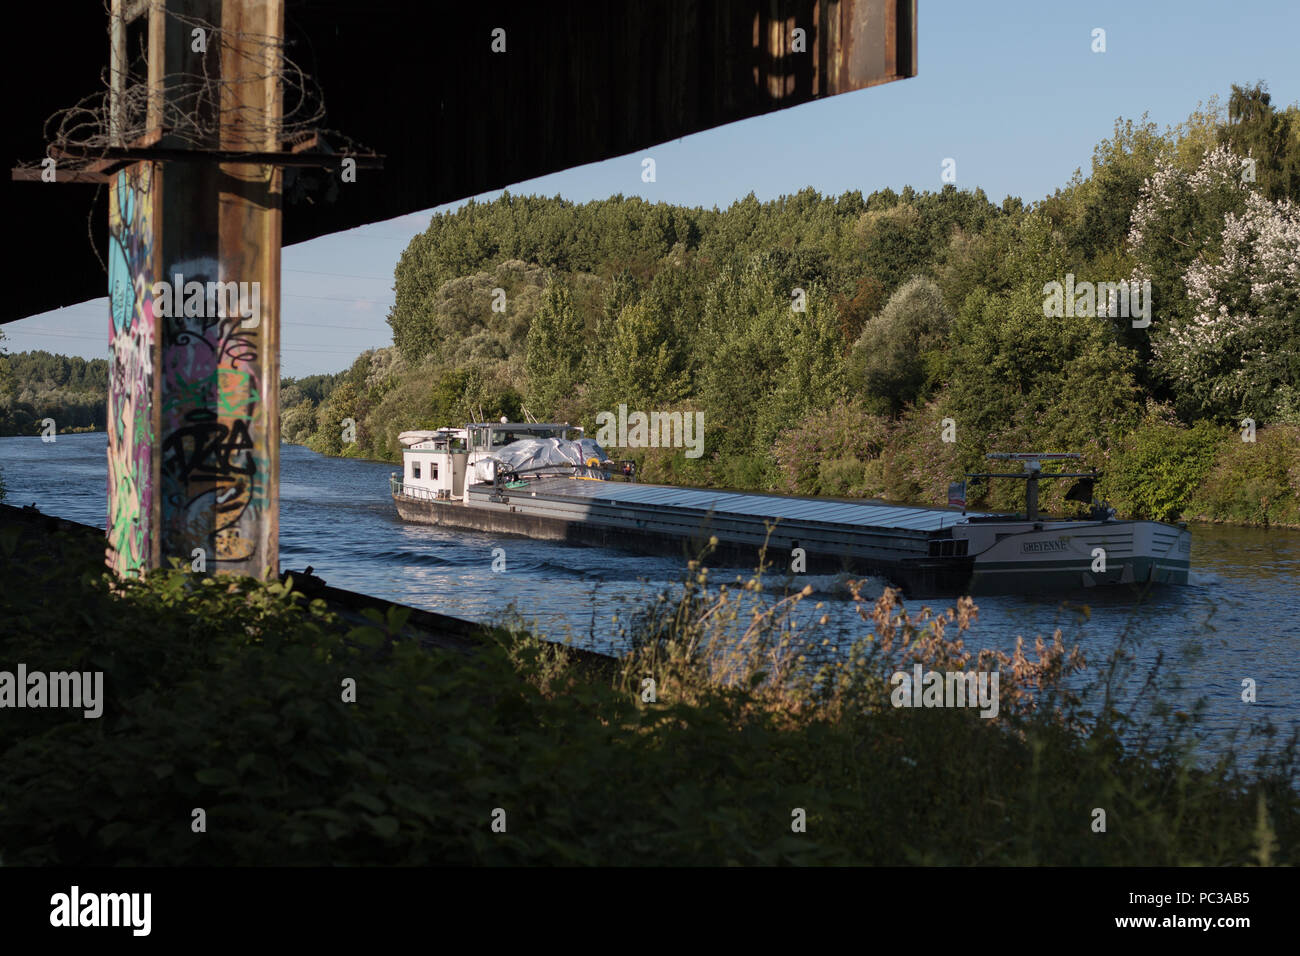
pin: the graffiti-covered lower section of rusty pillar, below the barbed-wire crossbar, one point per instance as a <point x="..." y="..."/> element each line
<point x="193" y="427"/>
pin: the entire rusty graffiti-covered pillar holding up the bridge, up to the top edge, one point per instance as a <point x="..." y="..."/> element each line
<point x="194" y="292"/>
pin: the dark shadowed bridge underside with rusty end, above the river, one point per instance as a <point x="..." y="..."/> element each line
<point x="579" y="83"/>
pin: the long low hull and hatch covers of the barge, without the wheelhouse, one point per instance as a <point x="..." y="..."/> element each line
<point x="921" y="551"/>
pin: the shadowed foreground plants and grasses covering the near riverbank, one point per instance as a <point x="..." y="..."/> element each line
<point x="228" y="695"/>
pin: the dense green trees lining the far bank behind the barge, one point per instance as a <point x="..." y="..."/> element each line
<point x="831" y="340"/>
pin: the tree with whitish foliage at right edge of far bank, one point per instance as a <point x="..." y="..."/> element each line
<point x="1225" y="267"/>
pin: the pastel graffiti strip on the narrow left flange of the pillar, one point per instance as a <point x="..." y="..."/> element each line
<point x="131" y="386"/>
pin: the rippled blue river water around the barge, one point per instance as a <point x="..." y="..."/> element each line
<point x="1236" y="620"/>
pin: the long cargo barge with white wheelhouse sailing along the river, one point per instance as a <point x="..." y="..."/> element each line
<point x="549" y="482"/>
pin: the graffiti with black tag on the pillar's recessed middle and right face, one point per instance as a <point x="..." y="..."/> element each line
<point x="215" y="481"/>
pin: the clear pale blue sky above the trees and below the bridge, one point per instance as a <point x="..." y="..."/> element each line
<point x="1012" y="92"/>
